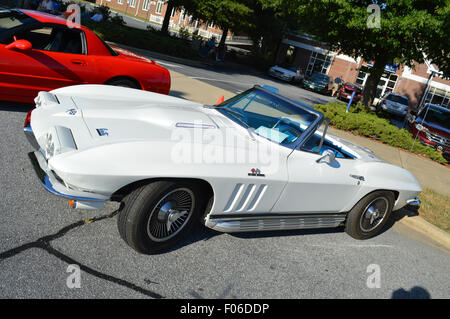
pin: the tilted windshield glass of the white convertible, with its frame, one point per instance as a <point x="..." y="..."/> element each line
<point x="269" y="116"/>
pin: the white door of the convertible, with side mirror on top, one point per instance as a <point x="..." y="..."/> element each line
<point x="317" y="187"/>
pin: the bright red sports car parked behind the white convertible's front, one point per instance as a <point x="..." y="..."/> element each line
<point x="40" y="52"/>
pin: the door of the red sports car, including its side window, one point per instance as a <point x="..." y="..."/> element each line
<point x="58" y="58"/>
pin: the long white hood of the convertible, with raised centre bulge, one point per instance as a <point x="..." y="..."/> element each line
<point x="101" y="114"/>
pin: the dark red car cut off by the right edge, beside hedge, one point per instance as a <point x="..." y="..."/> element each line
<point x="432" y="127"/>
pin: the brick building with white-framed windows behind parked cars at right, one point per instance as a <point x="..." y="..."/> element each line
<point x="311" y="56"/>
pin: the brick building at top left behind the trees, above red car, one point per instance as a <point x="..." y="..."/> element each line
<point x="154" y="12"/>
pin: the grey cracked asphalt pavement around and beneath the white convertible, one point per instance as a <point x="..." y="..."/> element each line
<point x="40" y="237"/>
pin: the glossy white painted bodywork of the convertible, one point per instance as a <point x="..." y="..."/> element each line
<point x="140" y="145"/>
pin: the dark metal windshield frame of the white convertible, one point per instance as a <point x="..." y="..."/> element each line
<point x="303" y="136"/>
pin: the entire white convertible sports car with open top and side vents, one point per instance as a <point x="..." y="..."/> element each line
<point x="257" y="161"/>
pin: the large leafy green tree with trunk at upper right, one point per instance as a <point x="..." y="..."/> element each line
<point x="408" y="31"/>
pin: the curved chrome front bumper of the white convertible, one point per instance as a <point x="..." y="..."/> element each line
<point x="50" y="183"/>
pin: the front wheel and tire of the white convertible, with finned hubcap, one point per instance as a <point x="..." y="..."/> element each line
<point x="156" y="216"/>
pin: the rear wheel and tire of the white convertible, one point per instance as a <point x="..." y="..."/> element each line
<point x="369" y="215"/>
